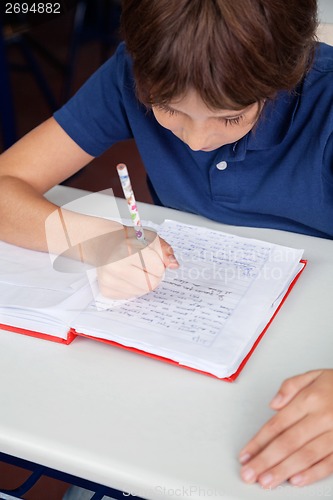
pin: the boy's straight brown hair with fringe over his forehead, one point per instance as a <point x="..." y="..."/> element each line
<point x="232" y="52"/>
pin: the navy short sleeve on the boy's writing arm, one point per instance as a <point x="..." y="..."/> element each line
<point x="95" y="117"/>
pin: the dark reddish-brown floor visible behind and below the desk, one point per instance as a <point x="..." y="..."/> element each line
<point x="31" y="109"/>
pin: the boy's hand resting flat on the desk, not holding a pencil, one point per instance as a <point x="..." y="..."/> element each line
<point x="297" y="443"/>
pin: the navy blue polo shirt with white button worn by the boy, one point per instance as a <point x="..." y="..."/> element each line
<point x="280" y="175"/>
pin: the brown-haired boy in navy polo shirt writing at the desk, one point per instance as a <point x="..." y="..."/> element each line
<point x="230" y="105"/>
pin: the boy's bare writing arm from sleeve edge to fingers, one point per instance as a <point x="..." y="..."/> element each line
<point x="42" y="159"/>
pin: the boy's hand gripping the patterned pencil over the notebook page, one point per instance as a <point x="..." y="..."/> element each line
<point x="135" y="269"/>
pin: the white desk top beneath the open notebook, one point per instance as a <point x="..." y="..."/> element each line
<point x="155" y="430"/>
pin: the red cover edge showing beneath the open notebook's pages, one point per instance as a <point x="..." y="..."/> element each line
<point x="72" y="334"/>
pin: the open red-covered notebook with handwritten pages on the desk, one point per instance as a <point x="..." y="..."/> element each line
<point x="208" y="315"/>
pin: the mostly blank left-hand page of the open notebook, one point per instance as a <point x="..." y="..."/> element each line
<point x="34" y="296"/>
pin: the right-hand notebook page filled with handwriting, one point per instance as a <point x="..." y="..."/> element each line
<point x="206" y="314"/>
